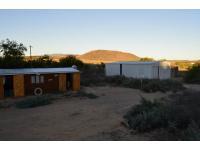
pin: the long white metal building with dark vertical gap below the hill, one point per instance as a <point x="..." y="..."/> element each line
<point x="145" y="70"/>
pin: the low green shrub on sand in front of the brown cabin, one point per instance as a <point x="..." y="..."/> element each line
<point x="34" y="102"/>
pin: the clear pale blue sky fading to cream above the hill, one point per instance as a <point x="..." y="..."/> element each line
<point x="161" y="34"/>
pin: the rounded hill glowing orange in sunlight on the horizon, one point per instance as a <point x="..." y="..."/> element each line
<point x="98" y="56"/>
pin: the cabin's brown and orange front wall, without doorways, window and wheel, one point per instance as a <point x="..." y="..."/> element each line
<point x="22" y="84"/>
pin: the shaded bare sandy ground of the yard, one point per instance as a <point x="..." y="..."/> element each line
<point x="75" y="118"/>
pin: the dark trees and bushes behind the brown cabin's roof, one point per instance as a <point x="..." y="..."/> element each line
<point x="13" y="57"/>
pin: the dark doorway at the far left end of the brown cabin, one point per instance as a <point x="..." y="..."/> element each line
<point x="8" y="86"/>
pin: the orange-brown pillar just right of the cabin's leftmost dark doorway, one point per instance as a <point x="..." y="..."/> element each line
<point x="18" y="85"/>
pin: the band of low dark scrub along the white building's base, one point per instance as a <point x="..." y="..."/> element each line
<point x="146" y="85"/>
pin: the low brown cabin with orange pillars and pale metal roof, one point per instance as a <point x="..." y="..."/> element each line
<point x="37" y="81"/>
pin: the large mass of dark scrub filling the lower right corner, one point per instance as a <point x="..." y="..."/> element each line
<point x="175" y="118"/>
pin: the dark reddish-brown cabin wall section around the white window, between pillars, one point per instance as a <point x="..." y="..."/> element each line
<point x="51" y="84"/>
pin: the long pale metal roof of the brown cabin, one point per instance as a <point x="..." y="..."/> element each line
<point x="36" y="71"/>
